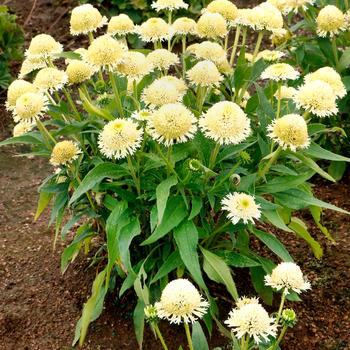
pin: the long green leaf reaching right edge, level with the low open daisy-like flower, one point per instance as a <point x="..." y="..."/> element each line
<point x="298" y="199"/>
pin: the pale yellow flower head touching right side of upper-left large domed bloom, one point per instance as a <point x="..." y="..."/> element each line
<point x="133" y="65"/>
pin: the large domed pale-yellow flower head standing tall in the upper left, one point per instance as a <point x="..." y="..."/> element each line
<point x="104" y="52"/>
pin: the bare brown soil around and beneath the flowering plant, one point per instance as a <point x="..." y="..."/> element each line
<point x="39" y="307"/>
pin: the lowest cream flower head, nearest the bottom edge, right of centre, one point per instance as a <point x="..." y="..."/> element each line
<point x="252" y="320"/>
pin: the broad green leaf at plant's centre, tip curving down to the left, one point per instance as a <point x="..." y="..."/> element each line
<point x="175" y="212"/>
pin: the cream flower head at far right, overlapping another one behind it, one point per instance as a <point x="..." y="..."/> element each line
<point x="316" y="97"/>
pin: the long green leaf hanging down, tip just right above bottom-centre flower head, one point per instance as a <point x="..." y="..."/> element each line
<point x="186" y="238"/>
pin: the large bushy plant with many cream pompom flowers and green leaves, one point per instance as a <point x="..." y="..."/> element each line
<point x="170" y="160"/>
